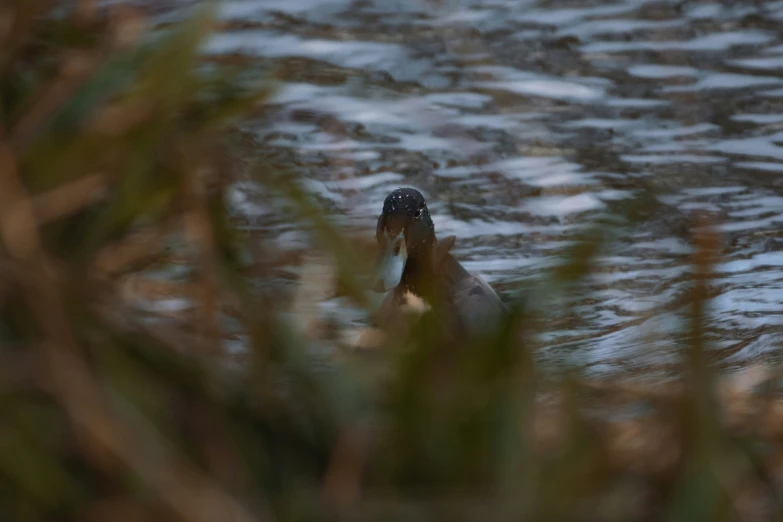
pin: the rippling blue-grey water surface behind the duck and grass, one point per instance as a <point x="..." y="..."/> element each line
<point x="523" y="120"/>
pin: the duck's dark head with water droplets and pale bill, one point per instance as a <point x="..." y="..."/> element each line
<point x="405" y="235"/>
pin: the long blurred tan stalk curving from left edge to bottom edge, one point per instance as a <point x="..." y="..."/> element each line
<point x="107" y="435"/>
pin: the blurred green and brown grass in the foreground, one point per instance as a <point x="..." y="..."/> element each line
<point x="117" y="147"/>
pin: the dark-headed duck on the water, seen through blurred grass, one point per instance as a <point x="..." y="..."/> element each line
<point x="416" y="270"/>
